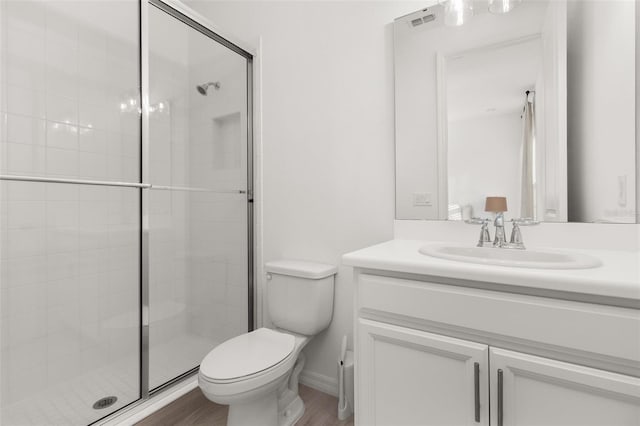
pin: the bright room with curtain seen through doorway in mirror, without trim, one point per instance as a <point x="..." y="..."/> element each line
<point x="490" y="140"/>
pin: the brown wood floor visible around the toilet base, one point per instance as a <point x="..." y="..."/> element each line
<point x="194" y="409"/>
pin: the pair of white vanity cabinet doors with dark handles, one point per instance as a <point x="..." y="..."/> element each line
<point x="412" y="377"/>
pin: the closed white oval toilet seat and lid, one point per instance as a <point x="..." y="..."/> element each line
<point x="246" y="356"/>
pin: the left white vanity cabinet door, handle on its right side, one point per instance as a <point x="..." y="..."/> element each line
<point x="410" y="377"/>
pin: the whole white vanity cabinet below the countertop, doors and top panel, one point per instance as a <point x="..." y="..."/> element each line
<point x="429" y="353"/>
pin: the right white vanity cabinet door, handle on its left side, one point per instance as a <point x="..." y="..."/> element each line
<point x="539" y="391"/>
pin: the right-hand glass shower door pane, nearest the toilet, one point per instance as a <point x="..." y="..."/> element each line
<point x="197" y="206"/>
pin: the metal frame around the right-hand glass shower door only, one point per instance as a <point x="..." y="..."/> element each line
<point x="190" y="18"/>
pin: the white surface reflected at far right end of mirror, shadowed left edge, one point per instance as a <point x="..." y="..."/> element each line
<point x="601" y="109"/>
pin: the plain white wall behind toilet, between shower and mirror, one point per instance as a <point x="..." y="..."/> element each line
<point x="327" y="135"/>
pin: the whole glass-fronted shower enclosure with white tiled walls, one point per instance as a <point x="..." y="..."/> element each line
<point x="125" y="203"/>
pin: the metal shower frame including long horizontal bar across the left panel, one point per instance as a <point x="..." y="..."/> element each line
<point x="178" y="11"/>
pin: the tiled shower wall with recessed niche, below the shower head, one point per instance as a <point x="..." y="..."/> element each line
<point x="218" y="221"/>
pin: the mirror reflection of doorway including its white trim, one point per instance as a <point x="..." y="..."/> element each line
<point x="502" y="106"/>
